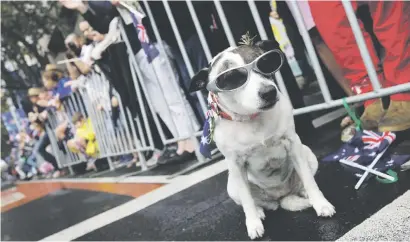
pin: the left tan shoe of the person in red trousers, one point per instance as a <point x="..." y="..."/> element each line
<point x="372" y="115"/>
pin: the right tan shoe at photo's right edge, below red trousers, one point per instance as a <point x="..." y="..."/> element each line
<point x="397" y="117"/>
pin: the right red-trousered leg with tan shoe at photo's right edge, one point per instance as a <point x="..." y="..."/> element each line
<point x="391" y="23"/>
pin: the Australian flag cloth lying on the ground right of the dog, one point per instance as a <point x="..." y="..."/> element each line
<point x="363" y="149"/>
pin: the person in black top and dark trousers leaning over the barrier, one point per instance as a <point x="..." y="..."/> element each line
<point x="114" y="60"/>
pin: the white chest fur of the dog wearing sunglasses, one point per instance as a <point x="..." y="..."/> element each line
<point x="260" y="145"/>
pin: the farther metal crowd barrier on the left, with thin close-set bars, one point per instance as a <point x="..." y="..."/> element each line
<point x="93" y="101"/>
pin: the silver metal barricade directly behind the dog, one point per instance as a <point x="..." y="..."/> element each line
<point x="328" y="102"/>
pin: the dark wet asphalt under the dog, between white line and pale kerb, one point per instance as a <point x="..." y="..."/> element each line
<point x="205" y="212"/>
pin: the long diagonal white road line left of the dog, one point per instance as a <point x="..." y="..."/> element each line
<point x="178" y="184"/>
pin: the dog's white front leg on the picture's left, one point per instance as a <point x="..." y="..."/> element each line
<point x="253" y="214"/>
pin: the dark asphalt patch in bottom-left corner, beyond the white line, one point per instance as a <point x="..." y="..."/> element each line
<point x="54" y="212"/>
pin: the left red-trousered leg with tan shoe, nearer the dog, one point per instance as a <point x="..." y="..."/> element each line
<point x="334" y="27"/>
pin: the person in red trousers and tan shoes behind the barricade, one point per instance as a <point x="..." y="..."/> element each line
<point x="391" y="24"/>
